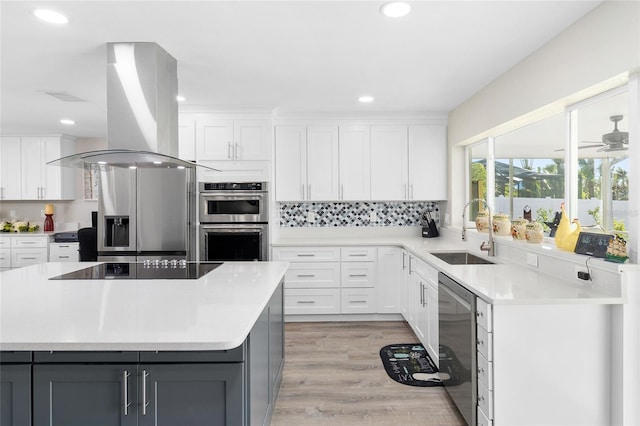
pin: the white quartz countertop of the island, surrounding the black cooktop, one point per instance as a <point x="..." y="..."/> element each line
<point x="214" y="312"/>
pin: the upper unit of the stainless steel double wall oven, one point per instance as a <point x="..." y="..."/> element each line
<point x="241" y="202"/>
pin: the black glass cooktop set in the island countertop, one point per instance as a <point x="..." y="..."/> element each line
<point x="142" y="271"/>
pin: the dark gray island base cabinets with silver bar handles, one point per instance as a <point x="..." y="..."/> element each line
<point x="188" y="388"/>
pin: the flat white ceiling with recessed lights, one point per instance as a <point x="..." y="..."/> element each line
<point x="311" y="56"/>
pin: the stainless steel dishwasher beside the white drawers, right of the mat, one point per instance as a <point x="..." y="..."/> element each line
<point x="457" y="328"/>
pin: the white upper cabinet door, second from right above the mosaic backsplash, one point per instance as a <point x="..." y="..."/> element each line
<point x="389" y="160"/>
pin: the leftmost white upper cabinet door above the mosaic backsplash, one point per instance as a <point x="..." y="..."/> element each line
<point x="291" y="163"/>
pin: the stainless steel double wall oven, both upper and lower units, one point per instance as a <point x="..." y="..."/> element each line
<point x="234" y="221"/>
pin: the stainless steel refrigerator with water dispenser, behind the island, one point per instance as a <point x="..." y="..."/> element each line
<point x="146" y="213"/>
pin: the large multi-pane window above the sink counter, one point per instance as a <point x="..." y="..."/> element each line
<point x="526" y="167"/>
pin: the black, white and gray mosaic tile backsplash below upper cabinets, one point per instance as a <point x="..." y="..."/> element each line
<point x="356" y="214"/>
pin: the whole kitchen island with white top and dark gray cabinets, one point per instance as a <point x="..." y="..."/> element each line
<point x="119" y="351"/>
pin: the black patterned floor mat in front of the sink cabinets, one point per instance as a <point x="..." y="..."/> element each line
<point x="410" y="364"/>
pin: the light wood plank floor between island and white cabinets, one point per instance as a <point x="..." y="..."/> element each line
<point x="333" y="373"/>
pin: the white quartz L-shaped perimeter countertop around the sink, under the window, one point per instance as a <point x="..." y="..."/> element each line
<point x="504" y="282"/>
